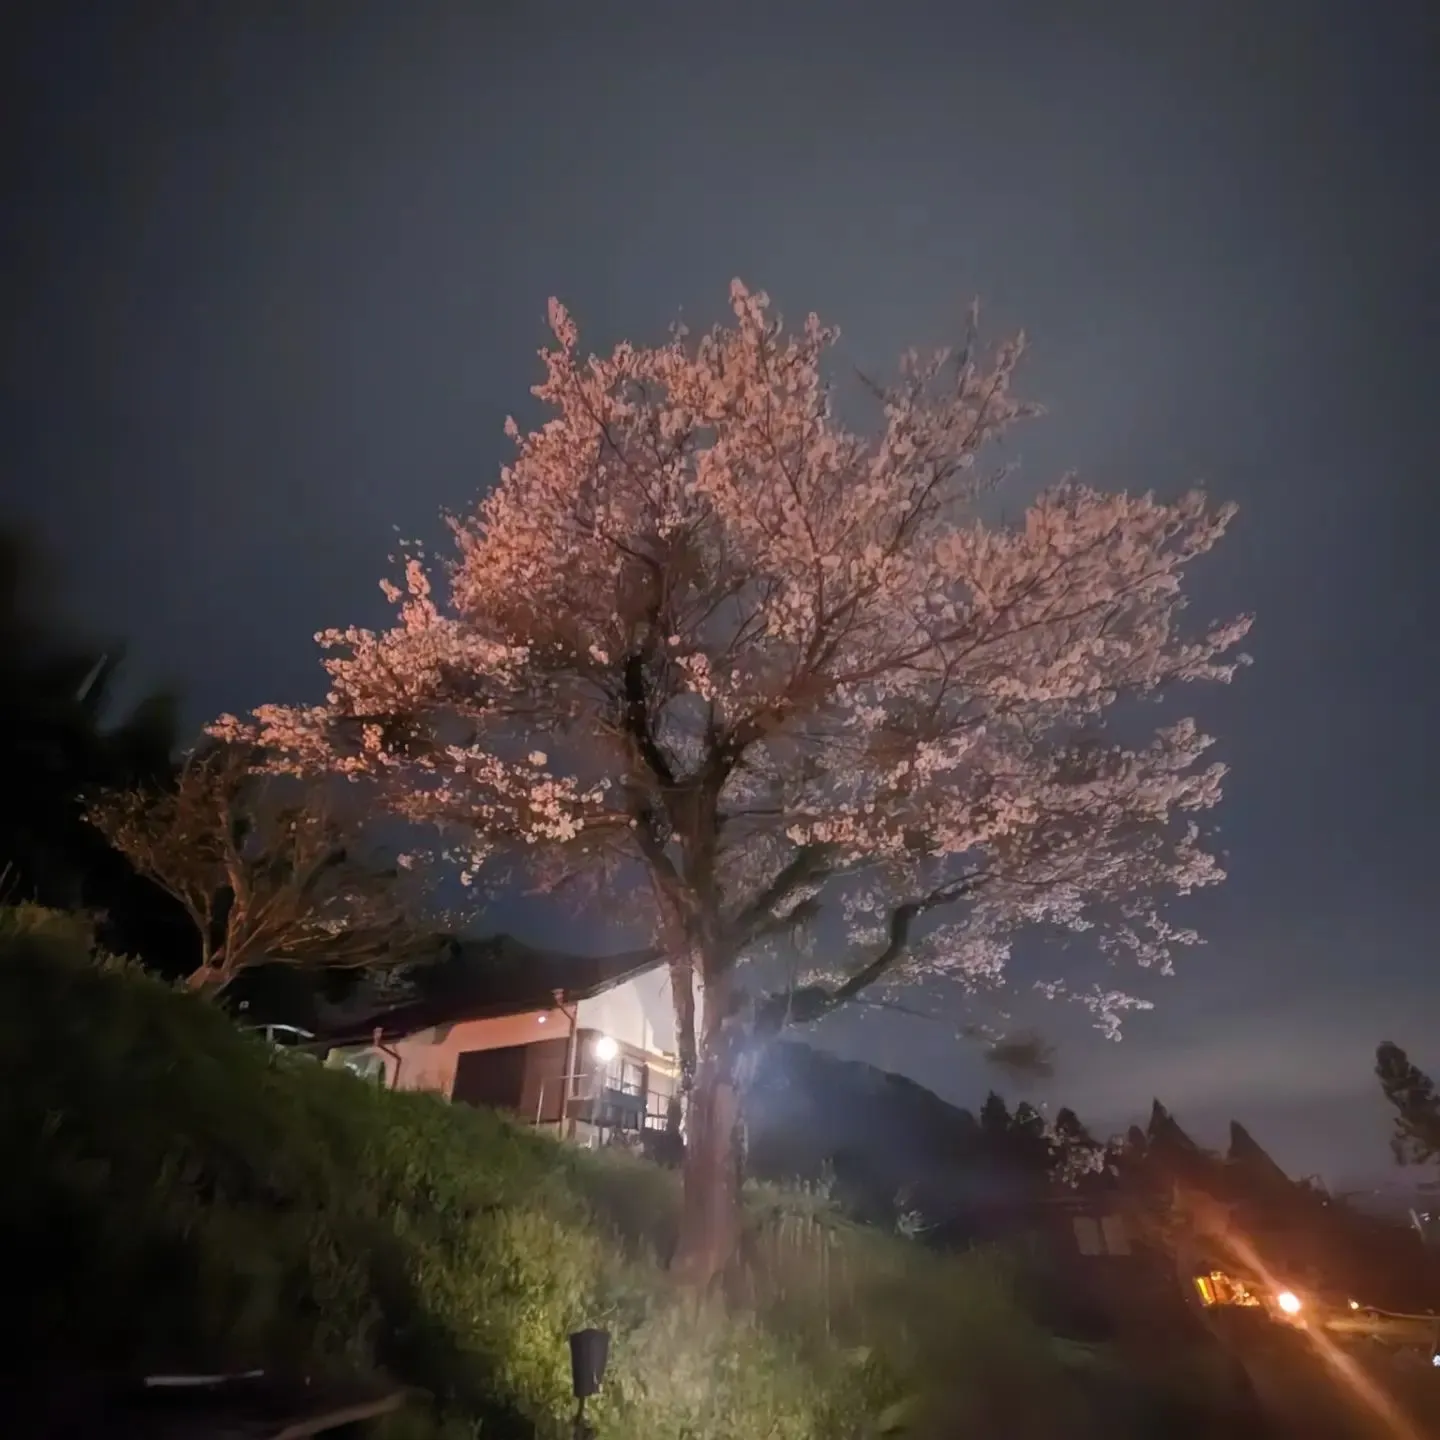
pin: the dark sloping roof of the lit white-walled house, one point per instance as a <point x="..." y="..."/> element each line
<point x="482" y="980"/>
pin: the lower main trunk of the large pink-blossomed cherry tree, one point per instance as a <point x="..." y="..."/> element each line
<point x="711" y="1206"/>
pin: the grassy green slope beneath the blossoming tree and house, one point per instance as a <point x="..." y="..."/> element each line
<point x="185" y="1197"/>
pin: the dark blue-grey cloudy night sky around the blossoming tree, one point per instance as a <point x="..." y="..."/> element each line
<point x="273" y="280"/>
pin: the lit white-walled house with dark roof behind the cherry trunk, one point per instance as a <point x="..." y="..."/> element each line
<point x="582" y="1046"/>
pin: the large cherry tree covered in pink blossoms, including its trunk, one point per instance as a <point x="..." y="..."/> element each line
<point x="706" y="643"/>
